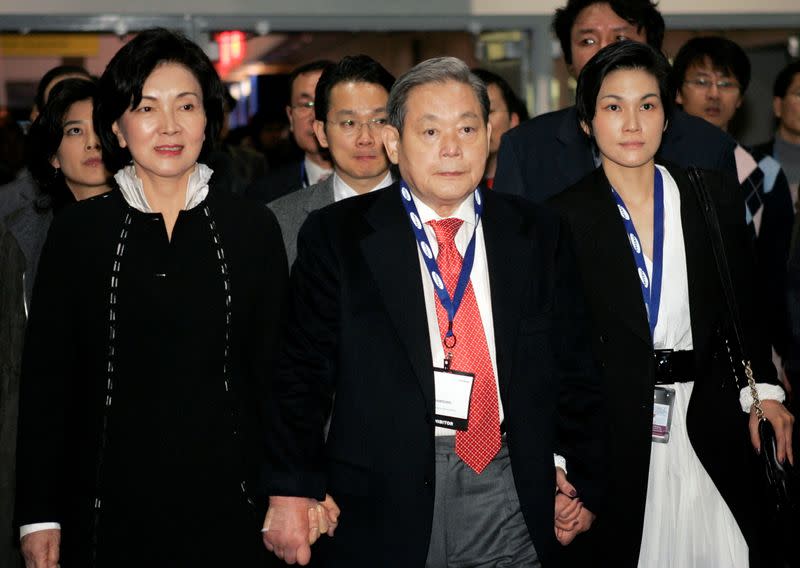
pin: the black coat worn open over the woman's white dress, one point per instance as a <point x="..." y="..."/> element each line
<point x="622" y="344"/>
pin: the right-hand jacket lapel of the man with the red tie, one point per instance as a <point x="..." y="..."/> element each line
<point x="508" y="259"/>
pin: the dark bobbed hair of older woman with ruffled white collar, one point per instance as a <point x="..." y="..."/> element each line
<point x="120" y="87"/>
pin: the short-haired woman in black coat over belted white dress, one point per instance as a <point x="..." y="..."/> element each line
<point x="682" y="499"/>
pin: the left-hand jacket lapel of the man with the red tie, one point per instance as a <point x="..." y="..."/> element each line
<point x="391" y="254"/>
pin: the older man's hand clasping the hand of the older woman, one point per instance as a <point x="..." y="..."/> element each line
<point x="287" y="528"/>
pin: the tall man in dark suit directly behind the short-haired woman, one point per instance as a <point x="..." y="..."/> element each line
<point x="549" y="153"/>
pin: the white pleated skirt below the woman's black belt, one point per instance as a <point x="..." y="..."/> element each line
<point x="687" y="523"/>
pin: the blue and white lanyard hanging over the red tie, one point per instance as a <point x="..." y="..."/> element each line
<point x="450" y="305"/>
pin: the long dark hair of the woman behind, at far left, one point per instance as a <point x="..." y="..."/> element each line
<point x="46" y="132"/>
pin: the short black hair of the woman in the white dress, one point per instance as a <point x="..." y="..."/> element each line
<point x="615" y="57"/>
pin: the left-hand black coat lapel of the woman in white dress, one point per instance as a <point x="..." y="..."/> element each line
<point x="609" y="253"/>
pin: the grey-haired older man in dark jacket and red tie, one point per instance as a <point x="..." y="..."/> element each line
<point x="370" y="323"/>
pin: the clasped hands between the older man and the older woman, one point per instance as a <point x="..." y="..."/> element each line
<point x="293" y="524"/>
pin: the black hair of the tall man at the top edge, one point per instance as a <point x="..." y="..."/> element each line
<point x="640" y="13"/>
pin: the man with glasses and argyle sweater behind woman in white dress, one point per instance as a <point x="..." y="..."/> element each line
<point x="710" y="76"/>
